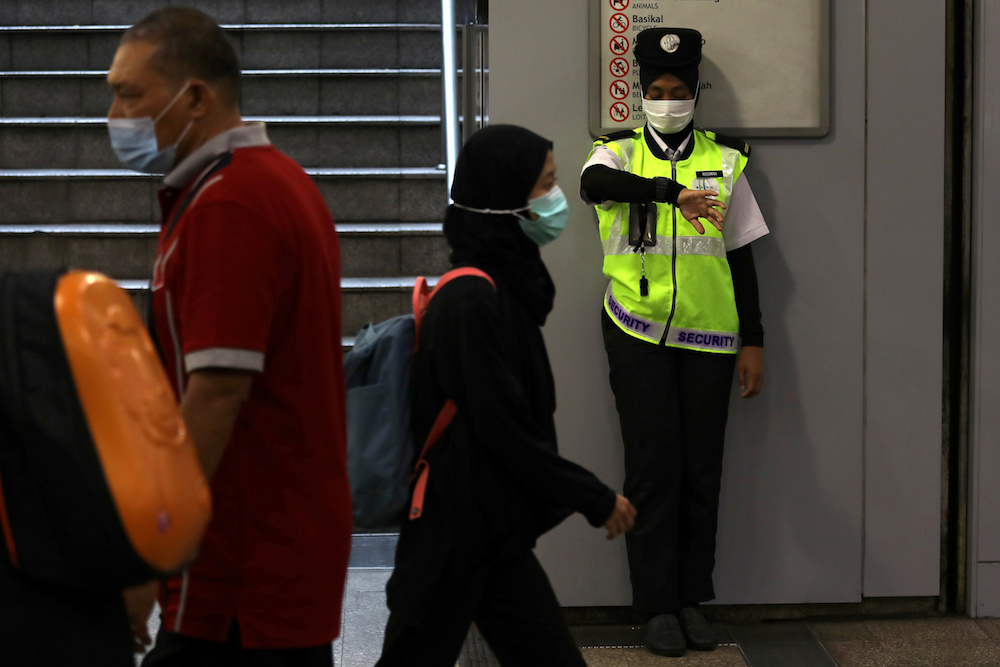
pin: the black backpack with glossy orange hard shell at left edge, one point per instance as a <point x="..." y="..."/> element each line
<point x="100" y="485"/>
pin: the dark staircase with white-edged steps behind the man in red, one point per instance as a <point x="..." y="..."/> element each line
<point x="350" y="90"/>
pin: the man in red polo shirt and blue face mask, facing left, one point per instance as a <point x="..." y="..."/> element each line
<point x="246" y="308"/>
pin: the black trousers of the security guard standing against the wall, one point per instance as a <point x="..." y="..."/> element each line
<point x="673" y="405"/>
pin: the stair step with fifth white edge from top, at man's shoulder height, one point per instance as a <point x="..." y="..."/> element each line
<point x="127" y="250"/>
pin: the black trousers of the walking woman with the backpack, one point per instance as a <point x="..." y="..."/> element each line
<point x="512" y="604"/>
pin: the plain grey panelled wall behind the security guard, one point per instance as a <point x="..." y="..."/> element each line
<point x="794" y="505"/>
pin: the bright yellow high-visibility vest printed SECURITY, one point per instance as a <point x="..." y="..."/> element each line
<point x="690" y="302"/>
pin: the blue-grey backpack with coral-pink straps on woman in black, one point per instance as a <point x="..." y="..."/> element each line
<point x="380" y="446"/>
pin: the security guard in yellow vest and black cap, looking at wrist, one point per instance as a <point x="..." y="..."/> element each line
<point x="680" y="307"/>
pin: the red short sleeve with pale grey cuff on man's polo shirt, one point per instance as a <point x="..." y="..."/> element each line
<point x="230" y="285"/>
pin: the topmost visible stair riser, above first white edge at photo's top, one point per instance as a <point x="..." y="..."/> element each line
<point x="33" y="12"/>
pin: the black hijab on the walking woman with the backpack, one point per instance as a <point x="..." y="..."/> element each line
<point x="497" y="169"/>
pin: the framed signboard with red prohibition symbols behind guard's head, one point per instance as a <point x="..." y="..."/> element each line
<point x="765" y="68"/>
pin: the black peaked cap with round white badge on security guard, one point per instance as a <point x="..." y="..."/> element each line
<point x="674" y="51"/>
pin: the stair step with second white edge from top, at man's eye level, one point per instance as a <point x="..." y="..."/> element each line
<point x="290" y="92"/>
